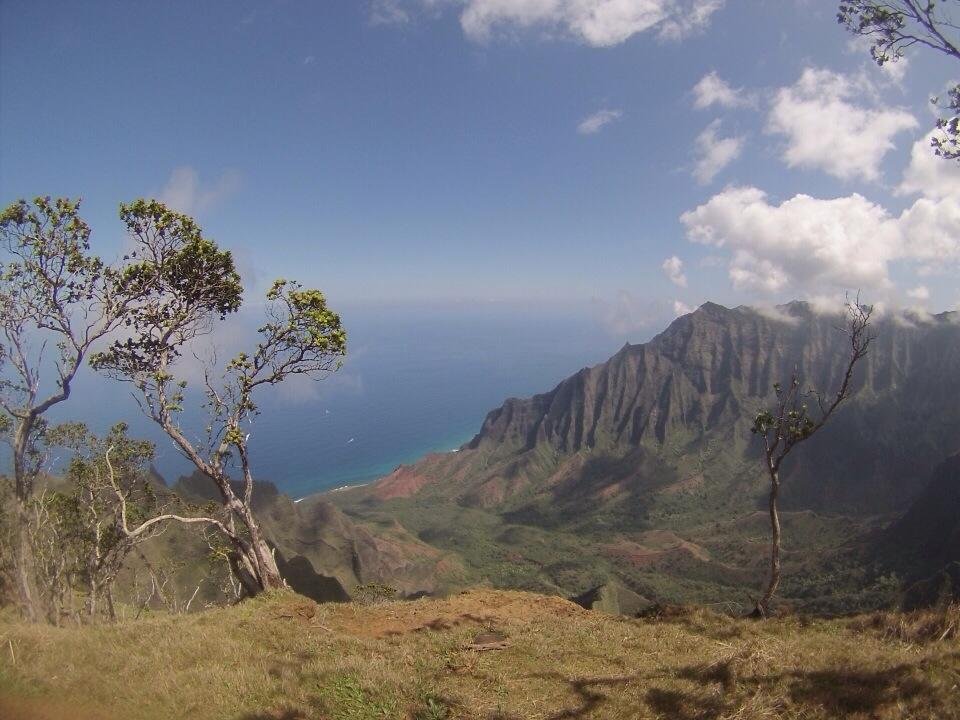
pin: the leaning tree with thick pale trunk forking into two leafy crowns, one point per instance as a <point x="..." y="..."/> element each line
<point x="187" y="282"/>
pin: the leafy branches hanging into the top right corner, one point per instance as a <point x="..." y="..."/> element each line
<point x="893" y="26"/>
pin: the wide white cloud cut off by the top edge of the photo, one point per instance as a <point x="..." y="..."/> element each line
<point x="600" y="23"/>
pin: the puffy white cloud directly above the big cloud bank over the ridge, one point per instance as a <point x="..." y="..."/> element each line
<point x="825" y="129"/>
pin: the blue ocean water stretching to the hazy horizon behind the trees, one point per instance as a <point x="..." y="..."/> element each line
<point x="418" y="379"/>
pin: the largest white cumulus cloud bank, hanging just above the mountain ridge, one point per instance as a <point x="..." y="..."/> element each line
<point x="821" y="245"/>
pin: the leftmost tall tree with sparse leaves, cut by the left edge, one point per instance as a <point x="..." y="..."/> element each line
<point x="53" y="292"/>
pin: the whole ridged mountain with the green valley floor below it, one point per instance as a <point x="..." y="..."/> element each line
<point x="643" y="468"/>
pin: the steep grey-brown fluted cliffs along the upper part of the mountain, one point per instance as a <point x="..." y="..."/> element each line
<point x="709" y="370"/>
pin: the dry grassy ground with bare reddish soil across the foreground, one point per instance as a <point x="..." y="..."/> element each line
<point x="282" y="657"/>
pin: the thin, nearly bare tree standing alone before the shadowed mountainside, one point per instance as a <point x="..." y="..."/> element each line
<point x="792" y="422"/>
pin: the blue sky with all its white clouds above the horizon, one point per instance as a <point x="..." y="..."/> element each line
<point x="527" y="151"/>
